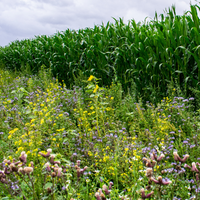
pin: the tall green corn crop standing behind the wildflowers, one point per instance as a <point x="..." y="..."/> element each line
<point x="150" y="54"/>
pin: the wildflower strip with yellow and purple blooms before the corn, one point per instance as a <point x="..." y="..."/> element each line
<point x="94" y="142"/>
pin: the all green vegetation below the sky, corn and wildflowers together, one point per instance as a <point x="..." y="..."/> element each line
<point x="73" y="122"/>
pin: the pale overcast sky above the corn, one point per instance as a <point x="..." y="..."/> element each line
<point x="25" y="19"/>
